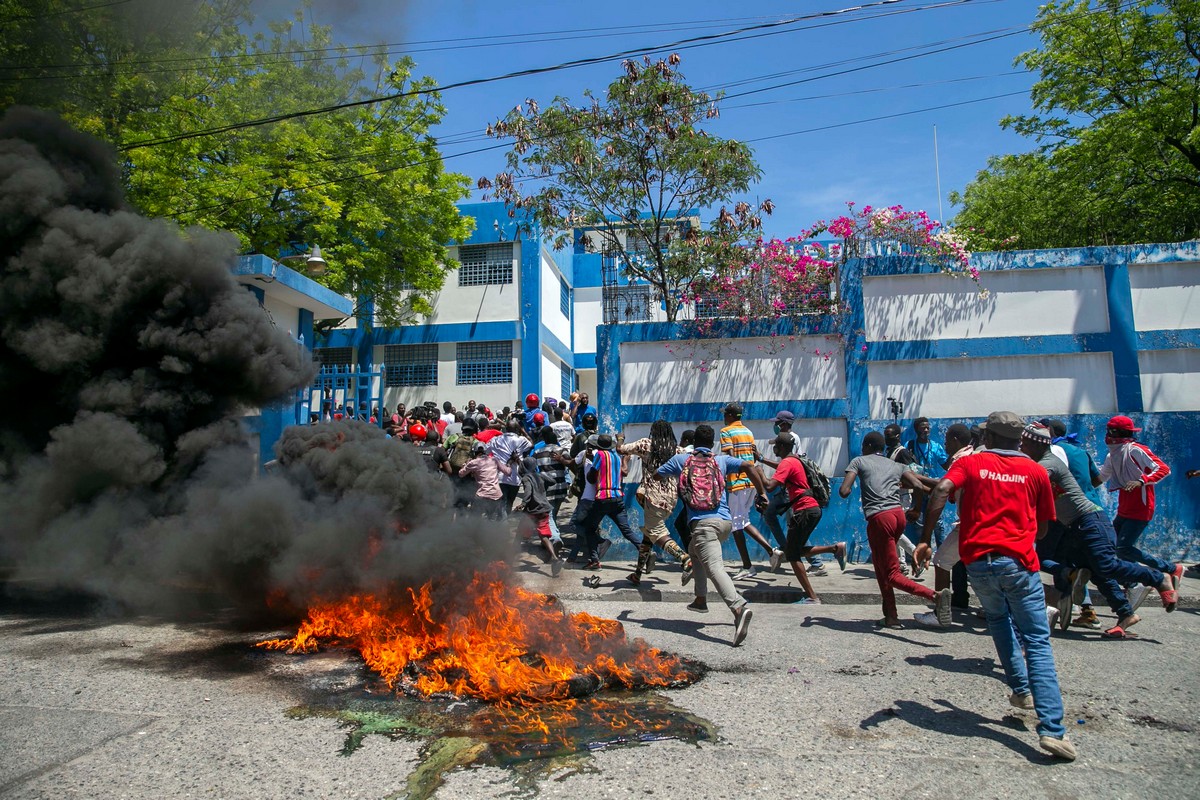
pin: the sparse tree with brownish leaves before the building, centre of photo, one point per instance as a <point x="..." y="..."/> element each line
<point x="634" y="173"/>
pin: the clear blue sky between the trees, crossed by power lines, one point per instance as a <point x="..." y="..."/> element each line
<point x="808" y="176"/>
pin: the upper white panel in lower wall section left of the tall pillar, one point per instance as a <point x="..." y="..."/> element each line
<point x="652" y="375"/>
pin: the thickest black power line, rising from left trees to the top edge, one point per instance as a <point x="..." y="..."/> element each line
<point x="697" y="41"/>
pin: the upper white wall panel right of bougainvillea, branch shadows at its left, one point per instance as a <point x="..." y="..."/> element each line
<point x="1022" y="303"/>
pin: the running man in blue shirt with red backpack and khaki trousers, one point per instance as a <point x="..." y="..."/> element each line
<point x="701" y="480"/>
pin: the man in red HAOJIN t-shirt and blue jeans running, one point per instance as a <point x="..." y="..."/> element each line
<point x="1006" y="504"/>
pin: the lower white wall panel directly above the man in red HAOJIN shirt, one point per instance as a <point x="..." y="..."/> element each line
<point x="1029" y="386"/>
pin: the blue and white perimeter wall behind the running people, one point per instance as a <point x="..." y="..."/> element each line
<point x="1078" y="334"/>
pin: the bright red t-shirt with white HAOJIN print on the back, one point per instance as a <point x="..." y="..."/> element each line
<point x="1003" y="502"/>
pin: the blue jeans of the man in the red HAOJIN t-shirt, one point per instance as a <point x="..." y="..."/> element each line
<point x="1012" y="597"/>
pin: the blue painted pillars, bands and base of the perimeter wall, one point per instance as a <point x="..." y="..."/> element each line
<point x="1175" y="437"/>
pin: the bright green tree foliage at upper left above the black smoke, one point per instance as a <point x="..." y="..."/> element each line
<point x="365" y="183"/>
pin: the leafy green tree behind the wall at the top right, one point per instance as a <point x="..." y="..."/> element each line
<point x="1118" y="128"/>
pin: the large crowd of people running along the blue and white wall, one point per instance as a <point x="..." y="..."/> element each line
<point x="1028" y="498"/>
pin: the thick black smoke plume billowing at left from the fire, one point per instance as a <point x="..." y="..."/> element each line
<point x="128" y="358"/>
